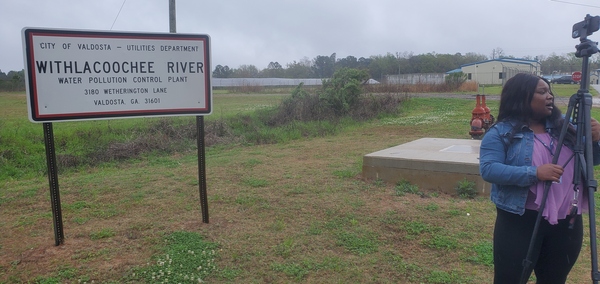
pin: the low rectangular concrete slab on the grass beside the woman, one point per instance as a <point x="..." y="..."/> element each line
<point x="430" y="163"/>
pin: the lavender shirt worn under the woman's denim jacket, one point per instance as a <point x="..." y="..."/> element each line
<point x="561" y="195"/>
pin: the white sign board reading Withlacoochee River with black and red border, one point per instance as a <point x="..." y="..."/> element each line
<point x="78" y="75"/>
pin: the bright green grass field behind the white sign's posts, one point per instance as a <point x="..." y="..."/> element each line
<point x="23" y="152"/>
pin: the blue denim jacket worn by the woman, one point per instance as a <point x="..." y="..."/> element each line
<point x="507" y="164"/>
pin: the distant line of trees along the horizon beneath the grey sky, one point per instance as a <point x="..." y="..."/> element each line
<point x="377" y="66"/>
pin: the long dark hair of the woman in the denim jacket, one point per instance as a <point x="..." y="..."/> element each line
<point x="515" y="103"/>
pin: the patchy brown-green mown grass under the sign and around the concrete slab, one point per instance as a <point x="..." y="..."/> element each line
<point x="294" y="212"/>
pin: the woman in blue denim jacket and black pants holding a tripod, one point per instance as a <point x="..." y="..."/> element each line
<point x="516" y="158"/>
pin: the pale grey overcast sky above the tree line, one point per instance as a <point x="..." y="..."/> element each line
<point x="284" y="31"/>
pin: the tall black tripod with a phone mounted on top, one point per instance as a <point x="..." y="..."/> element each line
<point x="579" y="112"/>
